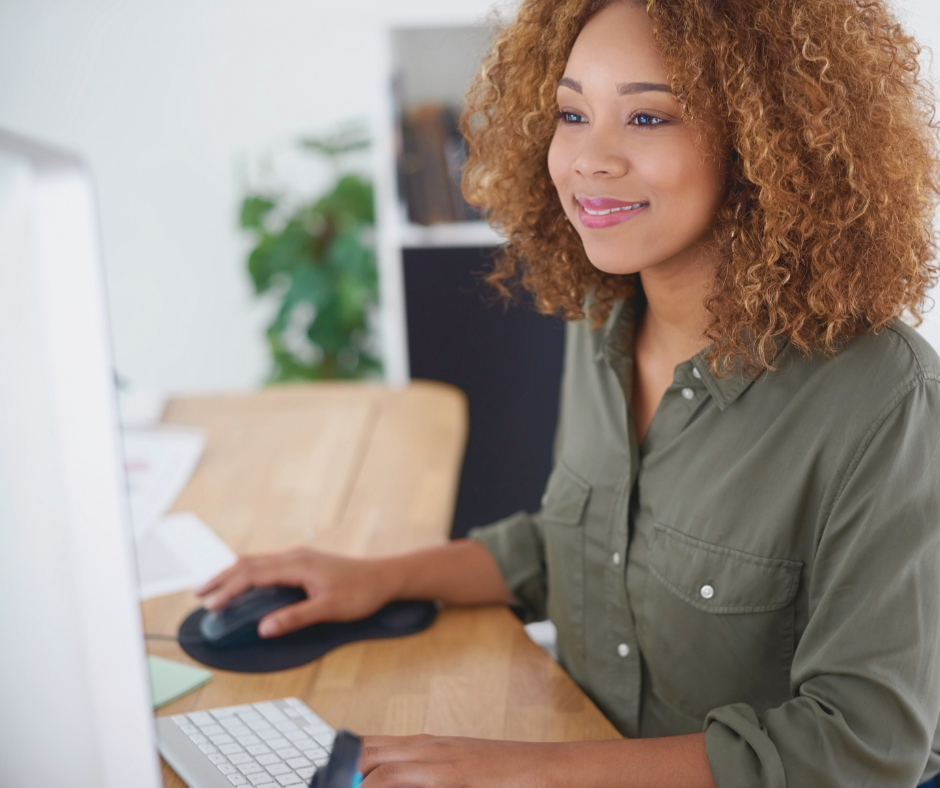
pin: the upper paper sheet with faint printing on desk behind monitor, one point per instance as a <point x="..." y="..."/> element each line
<point x="158" y="463"/>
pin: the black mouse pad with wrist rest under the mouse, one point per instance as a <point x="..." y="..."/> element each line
<point x="304" y="645"/>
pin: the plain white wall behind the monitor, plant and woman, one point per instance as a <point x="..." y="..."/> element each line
<point x="165" y="99"/>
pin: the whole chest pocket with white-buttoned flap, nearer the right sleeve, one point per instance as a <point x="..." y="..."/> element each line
<point x="718" y="624"/>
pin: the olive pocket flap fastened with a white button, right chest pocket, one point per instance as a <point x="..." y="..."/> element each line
<point x="719" y="579"/>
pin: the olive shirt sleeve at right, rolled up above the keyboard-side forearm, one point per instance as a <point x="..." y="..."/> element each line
<point x="866" y="672"/>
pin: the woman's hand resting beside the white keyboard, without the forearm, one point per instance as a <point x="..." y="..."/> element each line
<point x="456" y="762"/>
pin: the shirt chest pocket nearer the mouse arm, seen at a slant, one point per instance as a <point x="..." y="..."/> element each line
<point x="562" y="520"/>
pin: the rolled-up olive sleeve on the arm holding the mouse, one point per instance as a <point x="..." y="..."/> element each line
<point x="517" y="546"/>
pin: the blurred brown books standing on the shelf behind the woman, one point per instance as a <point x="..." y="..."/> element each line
<point x="430" y="167"/>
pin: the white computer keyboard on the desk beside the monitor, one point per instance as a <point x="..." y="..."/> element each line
<point x="264" y="745"/>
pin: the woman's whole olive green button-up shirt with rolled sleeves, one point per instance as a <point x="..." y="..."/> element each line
<point x="765" y="566"/>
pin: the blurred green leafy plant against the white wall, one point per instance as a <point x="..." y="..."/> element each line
<point x="317" y="257"/>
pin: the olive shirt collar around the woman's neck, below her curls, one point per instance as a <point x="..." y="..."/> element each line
<point x="616" y="347"/>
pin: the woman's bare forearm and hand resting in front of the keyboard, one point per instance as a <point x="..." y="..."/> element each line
<point x="449" y="762"/>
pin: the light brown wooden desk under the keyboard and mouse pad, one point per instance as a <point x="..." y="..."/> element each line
<point x="365" y="470"/>
